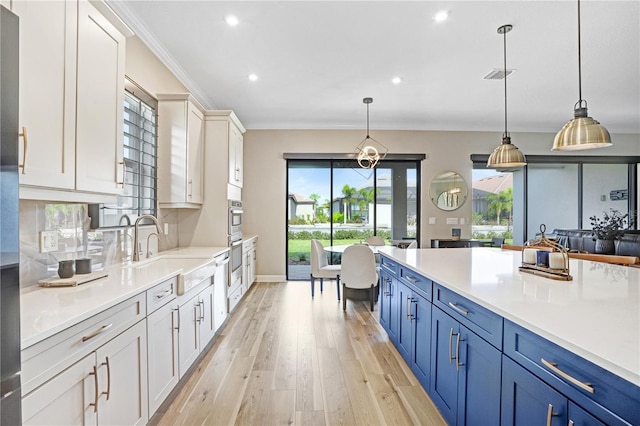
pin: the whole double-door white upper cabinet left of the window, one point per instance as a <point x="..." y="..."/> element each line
<point x="71" y="101"/>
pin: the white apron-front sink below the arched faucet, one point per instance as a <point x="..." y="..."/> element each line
<point x="193" y="270"/>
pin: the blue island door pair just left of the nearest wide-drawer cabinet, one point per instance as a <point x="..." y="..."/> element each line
<point x="465" y="373"/>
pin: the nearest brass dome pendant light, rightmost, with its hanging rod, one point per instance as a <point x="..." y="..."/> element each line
<point x="582" y="132"/>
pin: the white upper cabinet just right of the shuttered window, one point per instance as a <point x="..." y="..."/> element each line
<point x="180" y="151"/>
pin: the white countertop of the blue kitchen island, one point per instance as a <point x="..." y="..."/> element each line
<point x="596" y="316"/>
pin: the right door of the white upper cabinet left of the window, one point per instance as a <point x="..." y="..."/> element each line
<point x="100" y="103"/>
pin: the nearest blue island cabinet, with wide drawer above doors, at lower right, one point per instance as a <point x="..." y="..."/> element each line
<point x="591" y="394"/>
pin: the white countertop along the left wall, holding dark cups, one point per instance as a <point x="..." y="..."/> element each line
<point x="45" y="311"/>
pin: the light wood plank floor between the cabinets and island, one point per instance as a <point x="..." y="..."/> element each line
<point x="284" y="358"/>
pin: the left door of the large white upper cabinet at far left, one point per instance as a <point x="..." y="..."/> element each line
<point x="47" y="92"/>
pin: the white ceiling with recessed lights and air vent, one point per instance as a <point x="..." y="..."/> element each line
<point x="317" y="60"/>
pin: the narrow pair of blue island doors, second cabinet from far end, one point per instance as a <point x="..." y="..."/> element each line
<point x="414" y="333"/>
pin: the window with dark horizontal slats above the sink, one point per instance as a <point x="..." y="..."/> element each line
<point x="140" y="161"/>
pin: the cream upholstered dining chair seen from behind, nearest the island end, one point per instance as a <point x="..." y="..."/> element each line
<point x="358" y="272"/>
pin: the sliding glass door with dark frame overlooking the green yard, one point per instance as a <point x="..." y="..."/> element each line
<point x="338" y="203"/>
